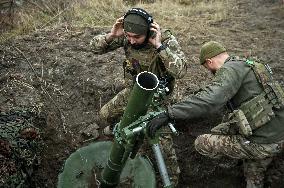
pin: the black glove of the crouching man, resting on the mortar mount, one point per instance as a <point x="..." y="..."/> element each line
<point x="157" y="122"/>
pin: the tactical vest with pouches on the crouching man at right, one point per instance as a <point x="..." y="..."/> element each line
<point x="260" y="110"/>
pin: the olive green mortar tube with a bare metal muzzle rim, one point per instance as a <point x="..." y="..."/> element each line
<point x="138" y="103"/>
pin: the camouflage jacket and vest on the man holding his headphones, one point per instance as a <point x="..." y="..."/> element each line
<point x="170" y="60"/>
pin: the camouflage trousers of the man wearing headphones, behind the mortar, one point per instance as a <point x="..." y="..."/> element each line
<point x="115" y="107"/>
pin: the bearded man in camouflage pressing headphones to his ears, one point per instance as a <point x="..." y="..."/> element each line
<point x="147" y="48"/>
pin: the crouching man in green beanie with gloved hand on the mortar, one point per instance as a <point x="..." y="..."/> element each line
<point x="254" y="130"/>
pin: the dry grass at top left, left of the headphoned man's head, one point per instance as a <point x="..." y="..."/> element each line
<point x="40" y="14"/>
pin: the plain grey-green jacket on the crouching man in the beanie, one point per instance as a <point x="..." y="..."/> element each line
<point x="234" y="81"/>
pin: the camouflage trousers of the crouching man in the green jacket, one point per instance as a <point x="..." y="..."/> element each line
<point x="256" y="157"/>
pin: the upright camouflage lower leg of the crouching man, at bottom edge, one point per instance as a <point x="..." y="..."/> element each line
<point x="254" y="171"/>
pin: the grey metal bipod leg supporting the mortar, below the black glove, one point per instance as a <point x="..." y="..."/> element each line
<point x="162" y="166"/>
